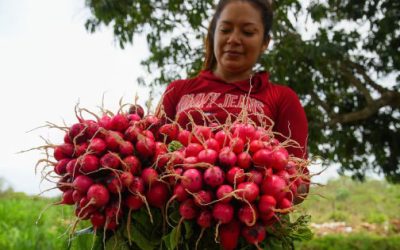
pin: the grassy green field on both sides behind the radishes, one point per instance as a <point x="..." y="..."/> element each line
<point x="345" y="215"/>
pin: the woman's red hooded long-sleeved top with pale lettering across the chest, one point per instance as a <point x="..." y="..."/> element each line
<point x="208" y="98"/>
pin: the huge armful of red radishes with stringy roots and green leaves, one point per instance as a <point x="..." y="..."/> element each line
<point x="230" y="185"/>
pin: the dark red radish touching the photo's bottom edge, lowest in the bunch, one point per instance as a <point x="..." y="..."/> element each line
<point x="229" y="235"/>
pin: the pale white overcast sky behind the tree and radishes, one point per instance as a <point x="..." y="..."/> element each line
<point x="49" y="63"/>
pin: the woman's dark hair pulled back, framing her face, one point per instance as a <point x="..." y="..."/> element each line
<point x="264" y="6"/>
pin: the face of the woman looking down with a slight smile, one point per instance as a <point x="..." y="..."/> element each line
<point x="239" y="39"/>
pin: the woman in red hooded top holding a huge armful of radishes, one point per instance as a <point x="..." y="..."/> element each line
<point x="237" y="36"/>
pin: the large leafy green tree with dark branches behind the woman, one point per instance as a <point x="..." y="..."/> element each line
<point x="342" y="57"/>
